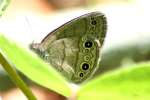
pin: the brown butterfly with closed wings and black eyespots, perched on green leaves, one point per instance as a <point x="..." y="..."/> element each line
<point x="74" y="48"/>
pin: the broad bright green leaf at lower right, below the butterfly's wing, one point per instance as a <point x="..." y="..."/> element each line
<point x="130" y="83"/>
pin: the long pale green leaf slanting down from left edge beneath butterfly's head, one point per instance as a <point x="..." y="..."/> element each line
<point x="33" y="67"/>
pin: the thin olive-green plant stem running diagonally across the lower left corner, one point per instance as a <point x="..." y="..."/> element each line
<point x="15" y="77"/>
